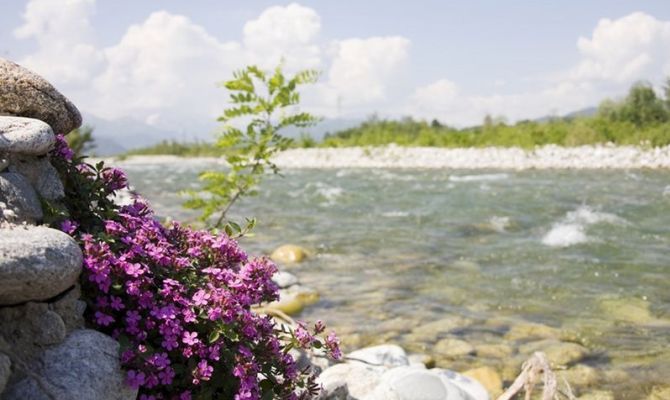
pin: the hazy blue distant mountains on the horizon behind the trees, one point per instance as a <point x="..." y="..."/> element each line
<point x="117" y="136"/>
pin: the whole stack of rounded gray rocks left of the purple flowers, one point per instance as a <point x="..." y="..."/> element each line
<point x="45" y="351"/>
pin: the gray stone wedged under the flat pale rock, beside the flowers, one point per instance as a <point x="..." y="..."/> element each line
<point x="40" y="173"/>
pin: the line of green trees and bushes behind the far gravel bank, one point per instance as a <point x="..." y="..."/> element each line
<point x="641" y="118"/>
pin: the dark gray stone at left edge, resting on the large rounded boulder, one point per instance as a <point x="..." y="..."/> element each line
<point x="20" y="198"/>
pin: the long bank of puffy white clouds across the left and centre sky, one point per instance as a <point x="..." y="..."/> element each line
<point x="164" y="70"/>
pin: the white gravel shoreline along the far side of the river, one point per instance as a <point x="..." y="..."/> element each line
<point x="546" y="157"/>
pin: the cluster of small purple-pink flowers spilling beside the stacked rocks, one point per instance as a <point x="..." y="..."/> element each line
<point x="180" y="303"/>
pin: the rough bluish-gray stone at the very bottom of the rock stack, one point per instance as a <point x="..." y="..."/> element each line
<point x="85" y="366"/>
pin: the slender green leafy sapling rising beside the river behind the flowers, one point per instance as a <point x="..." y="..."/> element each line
<point x="262" y="105"/>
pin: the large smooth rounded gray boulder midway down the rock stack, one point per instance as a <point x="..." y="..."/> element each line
<point x="36" y="263"/>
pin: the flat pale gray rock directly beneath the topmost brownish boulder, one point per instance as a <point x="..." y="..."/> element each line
<point x="25" y="135"/>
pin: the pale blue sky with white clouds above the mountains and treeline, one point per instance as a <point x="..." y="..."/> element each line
<point x="157" y="61"/>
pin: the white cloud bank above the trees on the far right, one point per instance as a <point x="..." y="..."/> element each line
<point x="618" y="53"/>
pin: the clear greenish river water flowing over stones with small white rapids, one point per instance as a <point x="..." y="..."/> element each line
<point x="504" y="260"/>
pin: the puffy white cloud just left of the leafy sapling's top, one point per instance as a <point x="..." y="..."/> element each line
<point x="165" y="66"/>
